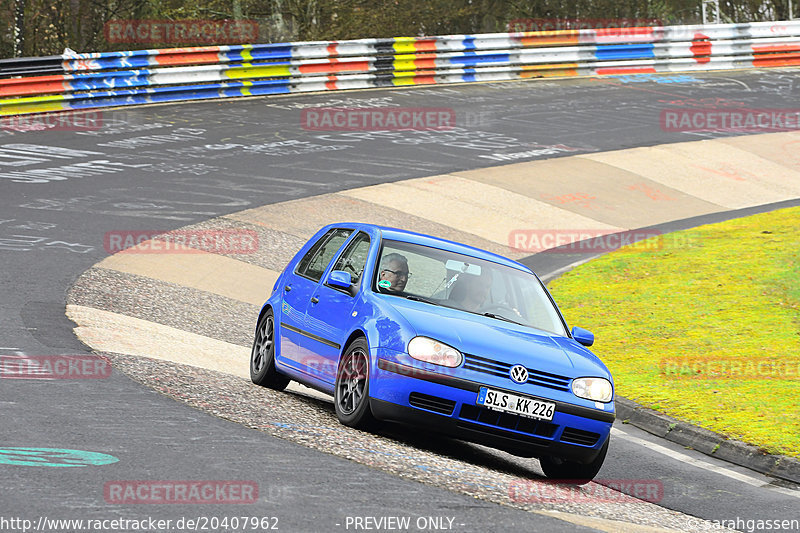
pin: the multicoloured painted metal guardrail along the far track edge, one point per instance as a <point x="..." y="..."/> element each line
<point x="148" y="76"/>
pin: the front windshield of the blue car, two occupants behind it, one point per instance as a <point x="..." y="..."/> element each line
<point x="450" y="279"/>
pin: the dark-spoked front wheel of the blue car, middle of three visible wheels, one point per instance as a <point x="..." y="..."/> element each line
<point x="351" y="392"/>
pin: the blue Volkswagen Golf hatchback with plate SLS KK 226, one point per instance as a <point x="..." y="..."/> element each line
<point x="405" y="327"/>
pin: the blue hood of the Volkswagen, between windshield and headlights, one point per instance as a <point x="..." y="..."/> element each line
<point x="499" y="340"/>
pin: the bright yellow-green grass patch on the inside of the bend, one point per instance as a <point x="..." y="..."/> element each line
<point x="672" y="323"/>
